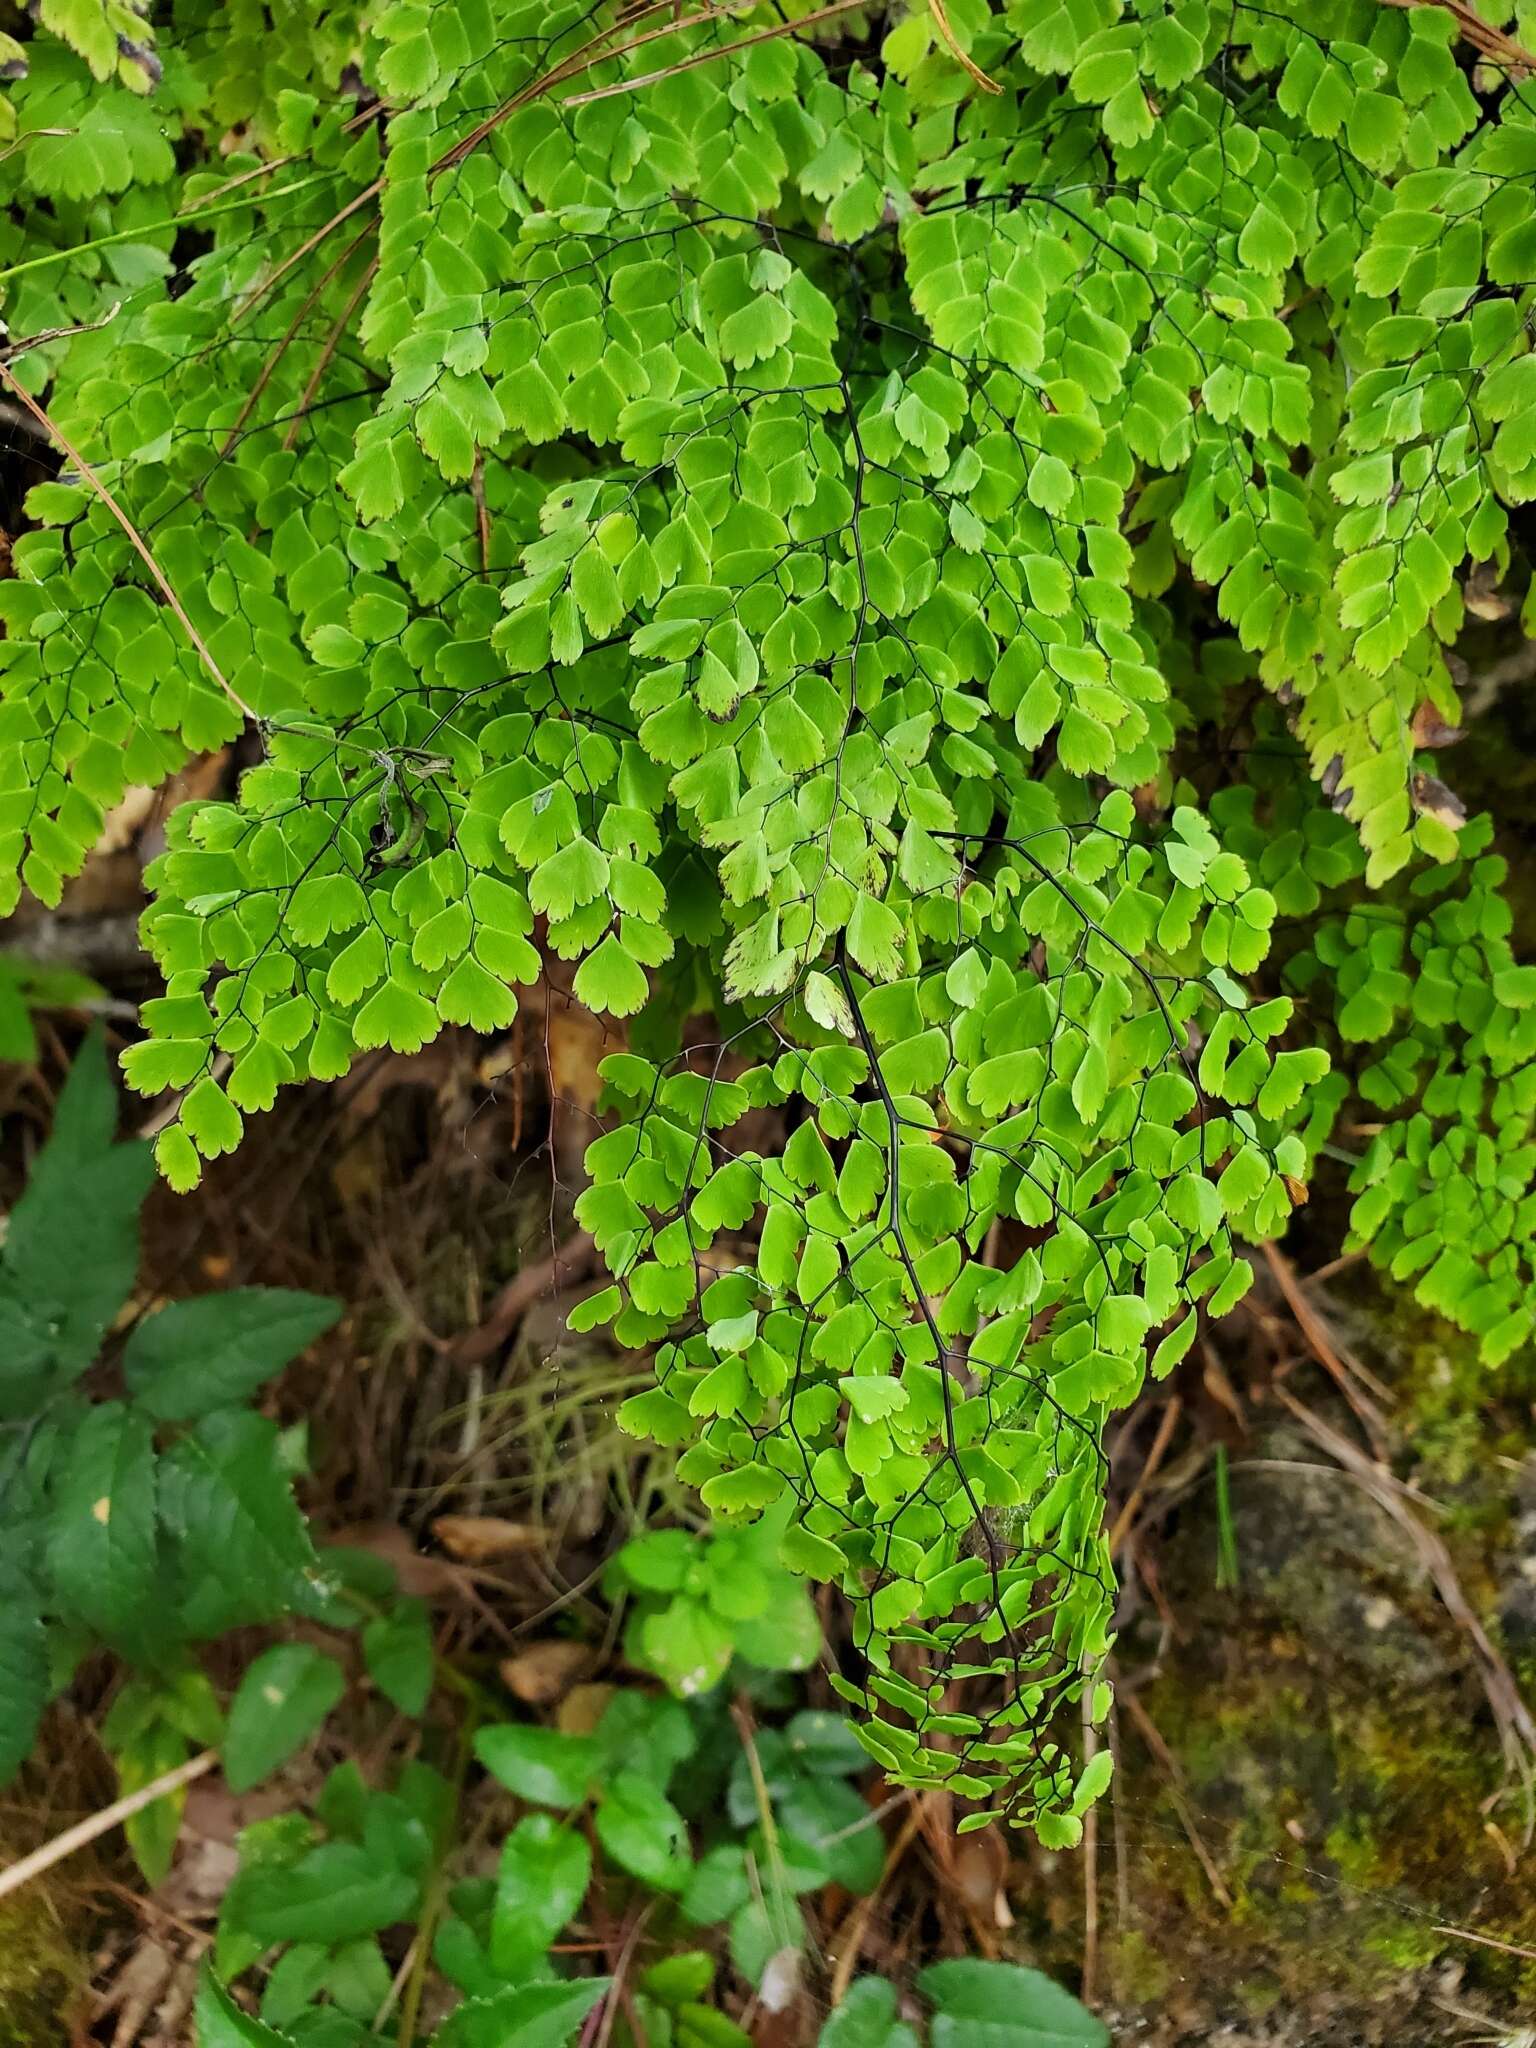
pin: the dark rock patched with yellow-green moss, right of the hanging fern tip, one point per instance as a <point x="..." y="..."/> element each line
<point x="1330" y="1730"/>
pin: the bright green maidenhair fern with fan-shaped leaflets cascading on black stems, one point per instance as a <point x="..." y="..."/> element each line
<point x="755" y="503"/>
